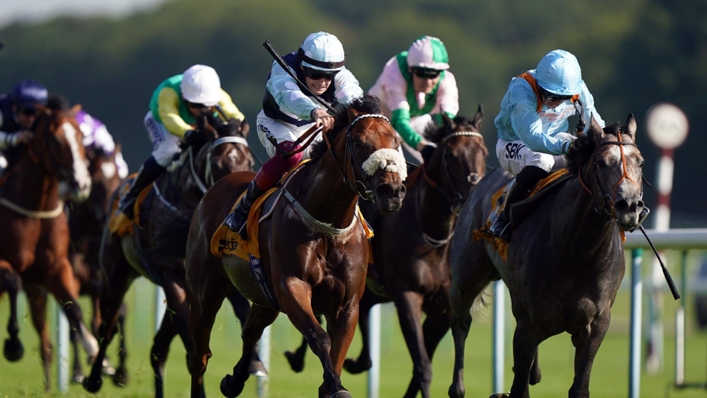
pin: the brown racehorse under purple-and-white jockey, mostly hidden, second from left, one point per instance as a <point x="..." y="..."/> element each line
<point x="86" y="220"/>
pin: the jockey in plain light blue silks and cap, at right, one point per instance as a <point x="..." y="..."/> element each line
<point x="533" y="132"/>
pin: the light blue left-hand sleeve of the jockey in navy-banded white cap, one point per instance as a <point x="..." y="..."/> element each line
<point x="288" y="95"/>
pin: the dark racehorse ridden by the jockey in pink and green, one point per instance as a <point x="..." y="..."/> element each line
<point x="410" y="249"/>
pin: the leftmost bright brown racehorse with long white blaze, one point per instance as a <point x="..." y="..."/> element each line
<point x="34" y="234"/>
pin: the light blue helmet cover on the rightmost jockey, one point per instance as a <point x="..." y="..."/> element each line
<point x="559" y="73"/>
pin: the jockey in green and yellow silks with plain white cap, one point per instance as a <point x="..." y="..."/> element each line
<point x="174" y="106"/>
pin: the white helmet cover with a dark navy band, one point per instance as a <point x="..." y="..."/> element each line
<point x="322" y="51"/>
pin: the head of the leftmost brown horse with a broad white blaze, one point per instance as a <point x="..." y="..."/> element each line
<point x="58" y="145"/>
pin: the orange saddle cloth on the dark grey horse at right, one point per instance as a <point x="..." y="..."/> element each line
<point x="498" y="200"/>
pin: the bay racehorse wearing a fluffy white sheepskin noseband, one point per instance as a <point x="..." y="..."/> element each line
<point x="315" y="264"/>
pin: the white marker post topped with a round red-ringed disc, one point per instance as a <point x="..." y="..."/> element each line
<point x="667" y="127"/>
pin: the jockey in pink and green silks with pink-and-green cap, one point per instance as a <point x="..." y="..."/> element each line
<point x="415" y="88"/>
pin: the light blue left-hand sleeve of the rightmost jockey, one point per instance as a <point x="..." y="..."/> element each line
<point x="527" y="124"/>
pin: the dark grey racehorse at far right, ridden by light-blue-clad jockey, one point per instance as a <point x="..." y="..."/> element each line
<point x="565" y="262"/>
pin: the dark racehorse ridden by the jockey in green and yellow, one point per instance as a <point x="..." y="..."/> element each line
<point x="123" y="258"/>
